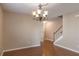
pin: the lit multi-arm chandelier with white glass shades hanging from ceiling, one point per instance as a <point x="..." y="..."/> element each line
<point x="41" y="13"/>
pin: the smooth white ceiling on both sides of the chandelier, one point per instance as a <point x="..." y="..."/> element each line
<point x="54" y="9"/>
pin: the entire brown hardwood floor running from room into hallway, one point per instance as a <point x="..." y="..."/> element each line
<point x="46" y="49"/>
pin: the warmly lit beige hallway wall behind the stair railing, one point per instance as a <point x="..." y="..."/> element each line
<point x="51" y="26"/>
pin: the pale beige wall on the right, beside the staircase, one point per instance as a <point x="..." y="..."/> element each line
<point x="70" y="31"/>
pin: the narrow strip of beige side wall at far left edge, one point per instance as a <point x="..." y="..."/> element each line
<point x="1" y="28"/>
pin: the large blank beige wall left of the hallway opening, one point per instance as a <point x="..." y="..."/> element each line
<point x="20" y="30"/>
